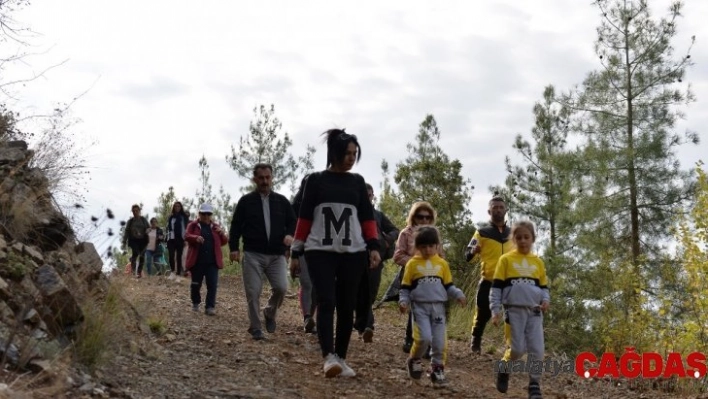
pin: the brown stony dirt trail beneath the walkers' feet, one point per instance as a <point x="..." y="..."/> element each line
<point x="214" y="357"/>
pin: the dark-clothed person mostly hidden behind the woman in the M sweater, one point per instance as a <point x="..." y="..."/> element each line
<point x="369" y="287"/>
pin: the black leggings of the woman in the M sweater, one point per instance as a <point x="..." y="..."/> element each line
<point x="336" y="279"/>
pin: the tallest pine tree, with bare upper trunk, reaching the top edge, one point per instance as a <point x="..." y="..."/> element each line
<point x="627" y="167"/>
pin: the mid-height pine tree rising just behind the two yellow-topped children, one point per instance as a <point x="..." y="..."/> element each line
<point x="540" y="187"/>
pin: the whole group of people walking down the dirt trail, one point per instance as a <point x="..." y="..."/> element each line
<point x="336" y="243"/>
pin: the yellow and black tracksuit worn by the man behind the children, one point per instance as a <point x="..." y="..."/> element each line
<point x="493" y="243"/>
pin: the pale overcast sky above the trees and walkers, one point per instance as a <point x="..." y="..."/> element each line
<point x="172" y="80"/>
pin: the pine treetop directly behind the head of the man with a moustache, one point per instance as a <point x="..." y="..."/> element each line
<point x="265" y="144"/>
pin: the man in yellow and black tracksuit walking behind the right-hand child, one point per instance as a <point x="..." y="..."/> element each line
<point x="490" y="242"/>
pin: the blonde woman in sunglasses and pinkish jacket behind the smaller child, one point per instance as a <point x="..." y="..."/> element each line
<point x="421" y="214"/>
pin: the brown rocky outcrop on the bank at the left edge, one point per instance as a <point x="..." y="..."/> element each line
<point x="44" y="273"/>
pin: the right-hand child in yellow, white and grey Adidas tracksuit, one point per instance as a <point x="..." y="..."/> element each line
<point x="520" y="286"/>
